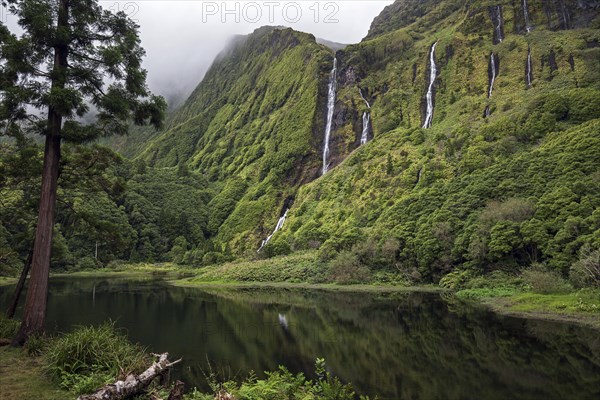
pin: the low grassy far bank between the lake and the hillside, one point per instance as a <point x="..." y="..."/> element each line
<point x="532" y="292"/>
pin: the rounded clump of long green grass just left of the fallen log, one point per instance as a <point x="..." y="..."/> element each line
<point x="90" y="357"/>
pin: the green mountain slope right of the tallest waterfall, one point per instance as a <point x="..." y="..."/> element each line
<point x="507" y="173"/>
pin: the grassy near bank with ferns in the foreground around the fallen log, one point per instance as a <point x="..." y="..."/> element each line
<point x="81" y="361"/>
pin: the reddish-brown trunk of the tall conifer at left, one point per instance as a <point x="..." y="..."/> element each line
<point x="34" y="314"/>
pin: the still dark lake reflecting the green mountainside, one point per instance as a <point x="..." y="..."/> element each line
<point x="393" y="345"/>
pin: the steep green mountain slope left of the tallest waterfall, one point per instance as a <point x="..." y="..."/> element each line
<point x="251" y="128"/>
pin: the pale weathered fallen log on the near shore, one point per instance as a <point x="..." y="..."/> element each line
<point x="132" y="385"/>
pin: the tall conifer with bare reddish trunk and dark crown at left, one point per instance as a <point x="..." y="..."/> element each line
<point x="72" y="57"/>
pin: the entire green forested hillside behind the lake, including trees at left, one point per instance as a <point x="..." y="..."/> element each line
<point x="463" y="135"/>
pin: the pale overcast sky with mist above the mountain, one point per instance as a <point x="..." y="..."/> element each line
<point x="182" y="38"/>
